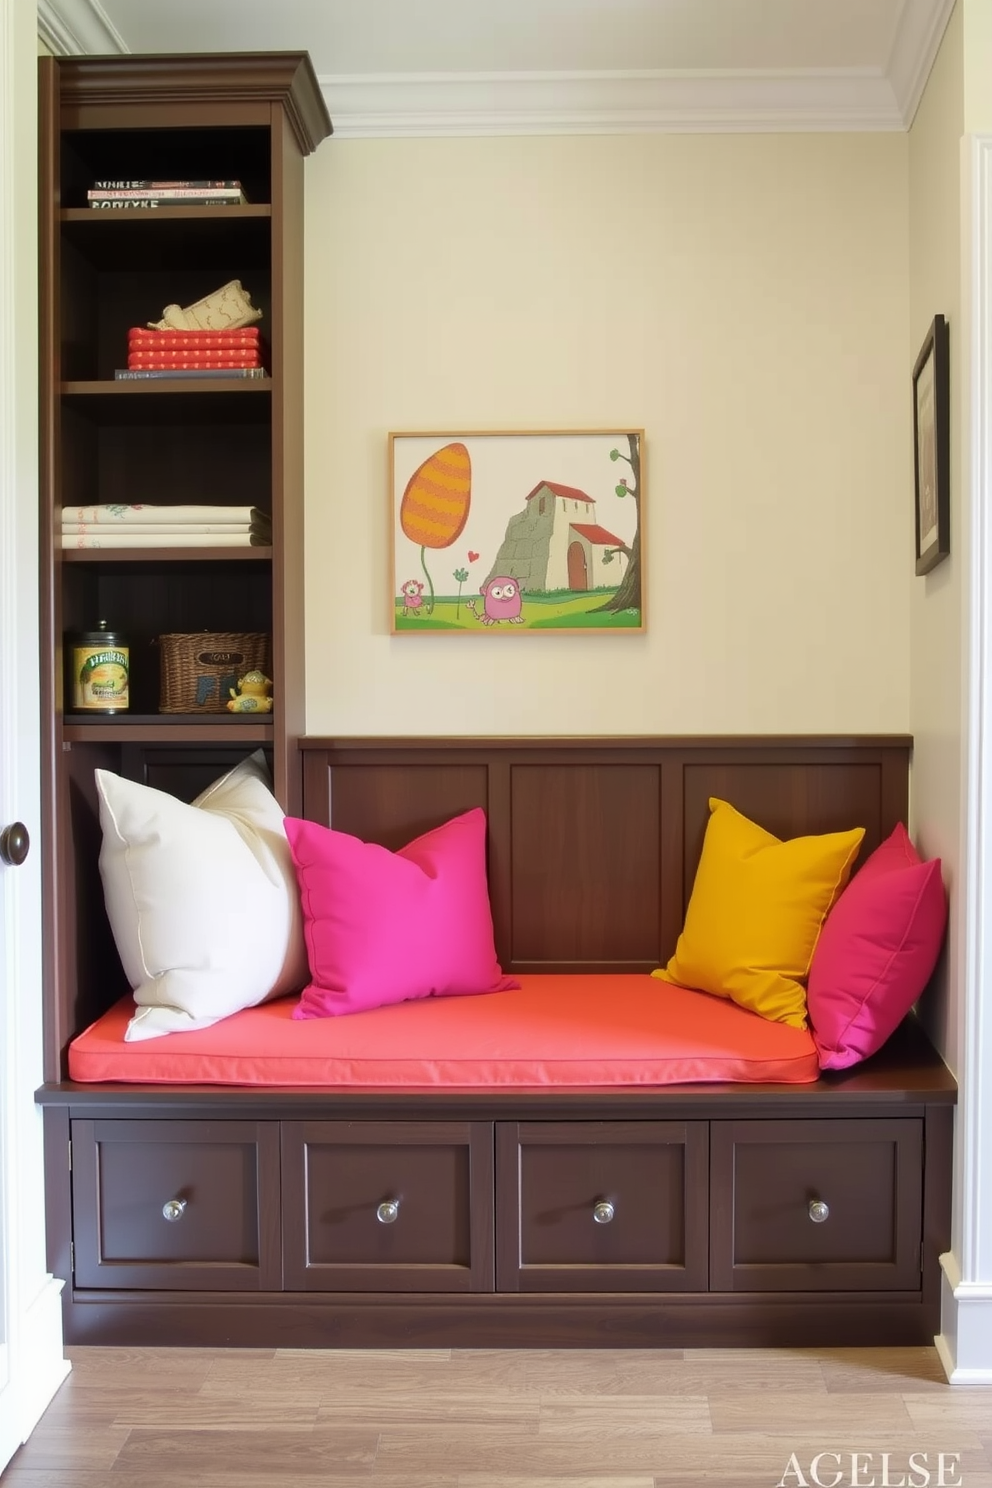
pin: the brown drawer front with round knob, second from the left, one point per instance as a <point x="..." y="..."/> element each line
<point x="387" y="1208"/>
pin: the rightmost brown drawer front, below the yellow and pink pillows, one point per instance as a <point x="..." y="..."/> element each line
<point x="813" y="1206"/>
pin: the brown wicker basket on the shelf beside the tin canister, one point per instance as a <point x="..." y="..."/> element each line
<point x="200" y="670"/>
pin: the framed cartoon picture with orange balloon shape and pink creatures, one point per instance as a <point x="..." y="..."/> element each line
<point x="505" y="533"/>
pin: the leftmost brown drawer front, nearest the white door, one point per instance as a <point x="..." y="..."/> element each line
<point x="172" y="1205"/>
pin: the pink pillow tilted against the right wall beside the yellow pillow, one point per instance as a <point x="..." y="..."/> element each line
<point x="877" y="953"/>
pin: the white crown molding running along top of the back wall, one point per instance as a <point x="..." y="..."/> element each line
<point x="423" y="105"/>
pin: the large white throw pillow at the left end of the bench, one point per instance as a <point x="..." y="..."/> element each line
<point x="203" y="899"/>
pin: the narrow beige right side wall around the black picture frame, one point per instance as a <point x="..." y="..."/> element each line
<point x="938" y="620"/>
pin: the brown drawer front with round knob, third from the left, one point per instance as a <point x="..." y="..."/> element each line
<point x="602" y="1206"/>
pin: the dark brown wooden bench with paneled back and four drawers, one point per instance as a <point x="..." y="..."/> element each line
<point x="492" y="1215"/>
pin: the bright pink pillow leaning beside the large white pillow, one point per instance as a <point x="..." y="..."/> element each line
<point x="387" y="928"/>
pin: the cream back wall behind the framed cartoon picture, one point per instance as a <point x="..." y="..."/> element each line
<point x="743" y="300"/>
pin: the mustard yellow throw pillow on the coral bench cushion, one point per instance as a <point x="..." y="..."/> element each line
<point x="756" y="913"/>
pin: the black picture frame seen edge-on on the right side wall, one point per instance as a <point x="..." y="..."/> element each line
<point x="932" y="447"/>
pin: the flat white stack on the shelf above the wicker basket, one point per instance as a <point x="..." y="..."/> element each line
<point x="139" y="526"/>
